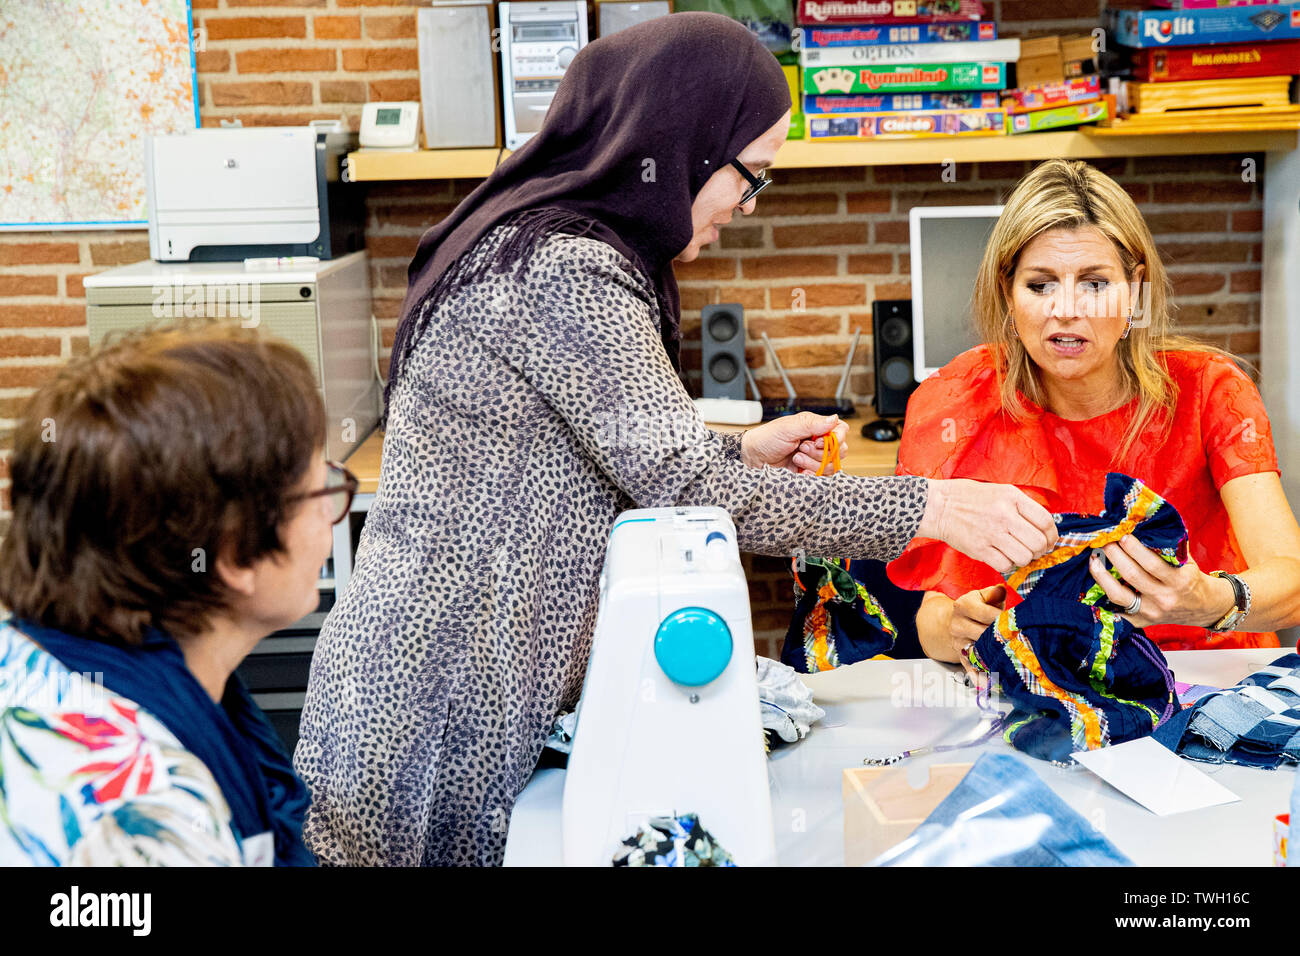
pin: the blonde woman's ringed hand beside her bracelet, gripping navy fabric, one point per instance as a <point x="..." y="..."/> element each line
<point x="1169" y="595"/>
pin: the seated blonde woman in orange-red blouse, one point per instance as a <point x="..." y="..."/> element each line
<point x="1081" y="375"/>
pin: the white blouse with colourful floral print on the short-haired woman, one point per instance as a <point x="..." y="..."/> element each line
<point x="88" y="778"/>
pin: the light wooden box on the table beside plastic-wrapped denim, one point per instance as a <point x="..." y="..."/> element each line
<point x="882" y="810"/>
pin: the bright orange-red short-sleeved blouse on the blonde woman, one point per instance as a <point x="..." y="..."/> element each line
<point x="956" y="429"/>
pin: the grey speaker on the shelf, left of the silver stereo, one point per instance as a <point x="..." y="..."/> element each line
<point x="458" y="76"/>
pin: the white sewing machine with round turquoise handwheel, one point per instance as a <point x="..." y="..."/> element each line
<point x="669" y="721"/>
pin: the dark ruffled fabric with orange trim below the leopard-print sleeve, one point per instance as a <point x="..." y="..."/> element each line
<point x="837" y="620"/>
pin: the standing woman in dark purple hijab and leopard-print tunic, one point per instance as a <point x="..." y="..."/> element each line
<point x="532" y="399"/>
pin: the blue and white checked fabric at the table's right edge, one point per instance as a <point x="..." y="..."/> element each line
<point x="1255" y="724"/>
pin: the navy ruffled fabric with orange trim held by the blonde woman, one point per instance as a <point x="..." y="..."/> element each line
<point x="1082" y="677"/>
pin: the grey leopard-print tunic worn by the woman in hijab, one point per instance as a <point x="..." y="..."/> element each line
<point x="532" y="412"/>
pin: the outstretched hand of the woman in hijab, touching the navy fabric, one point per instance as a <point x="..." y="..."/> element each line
<point x="999" y="525"/>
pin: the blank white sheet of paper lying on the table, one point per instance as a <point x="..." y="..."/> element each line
<point x="1156" y="777"/>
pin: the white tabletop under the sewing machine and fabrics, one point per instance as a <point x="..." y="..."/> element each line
<point x="870" y="713"/>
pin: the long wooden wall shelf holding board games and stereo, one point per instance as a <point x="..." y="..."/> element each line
<point x="376" y="166"/>
